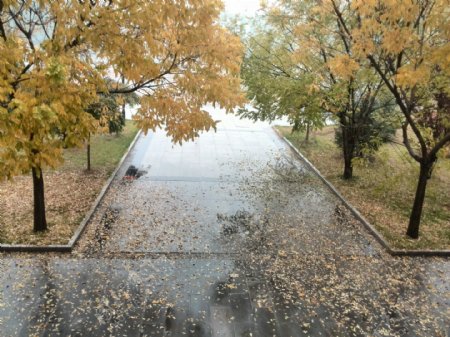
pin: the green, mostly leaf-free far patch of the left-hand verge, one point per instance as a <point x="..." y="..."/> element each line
<point x="106" y="150"/>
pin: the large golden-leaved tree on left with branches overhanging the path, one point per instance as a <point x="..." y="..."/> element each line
<point x="55" y="56"/>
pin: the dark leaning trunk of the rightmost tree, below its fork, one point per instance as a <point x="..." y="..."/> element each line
<point x="416" y="213"/>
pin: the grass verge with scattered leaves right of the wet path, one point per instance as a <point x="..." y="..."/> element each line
<point x="384" y="190"/>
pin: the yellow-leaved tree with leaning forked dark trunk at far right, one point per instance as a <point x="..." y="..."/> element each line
<point x="407" y="44"/>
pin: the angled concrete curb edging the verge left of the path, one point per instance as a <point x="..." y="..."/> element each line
<point x="76" y="236"/>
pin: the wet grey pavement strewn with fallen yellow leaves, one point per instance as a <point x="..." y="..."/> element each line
<point x="230" y="235"/>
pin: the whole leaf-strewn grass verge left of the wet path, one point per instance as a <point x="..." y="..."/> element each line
<point x="69" y="191"/>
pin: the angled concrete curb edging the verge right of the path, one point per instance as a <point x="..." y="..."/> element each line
<point x="357" y="214"/>
